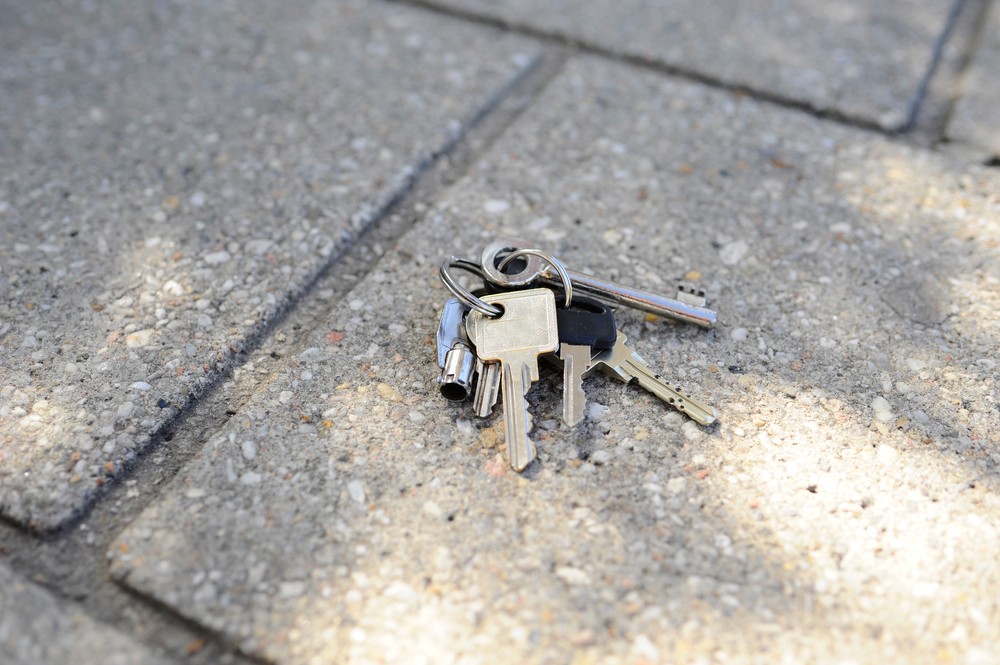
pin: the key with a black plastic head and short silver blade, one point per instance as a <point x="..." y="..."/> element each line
<point x="585" y="327"/>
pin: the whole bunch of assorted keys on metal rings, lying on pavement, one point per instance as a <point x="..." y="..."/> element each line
<point x="489" y="341"/>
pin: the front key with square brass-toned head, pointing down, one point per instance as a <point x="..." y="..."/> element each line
<point x="525" y="330"/>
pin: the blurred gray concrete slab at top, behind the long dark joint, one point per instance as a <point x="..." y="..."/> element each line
<point x="860" y="59"/>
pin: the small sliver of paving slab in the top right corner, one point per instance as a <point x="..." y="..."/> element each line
<point x="976" y="121"/>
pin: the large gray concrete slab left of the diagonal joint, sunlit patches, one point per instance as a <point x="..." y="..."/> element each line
<point x="170" y="176"/>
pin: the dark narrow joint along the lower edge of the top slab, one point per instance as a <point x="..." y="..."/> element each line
<point x="583" y="46"/>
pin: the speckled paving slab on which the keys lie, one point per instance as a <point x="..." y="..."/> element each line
<point x="843" y="510"/>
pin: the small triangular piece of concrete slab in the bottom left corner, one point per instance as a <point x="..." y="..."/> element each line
<point x="37" y="629"/>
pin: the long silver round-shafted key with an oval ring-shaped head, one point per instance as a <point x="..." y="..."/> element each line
<point x="535" y="272"/>
